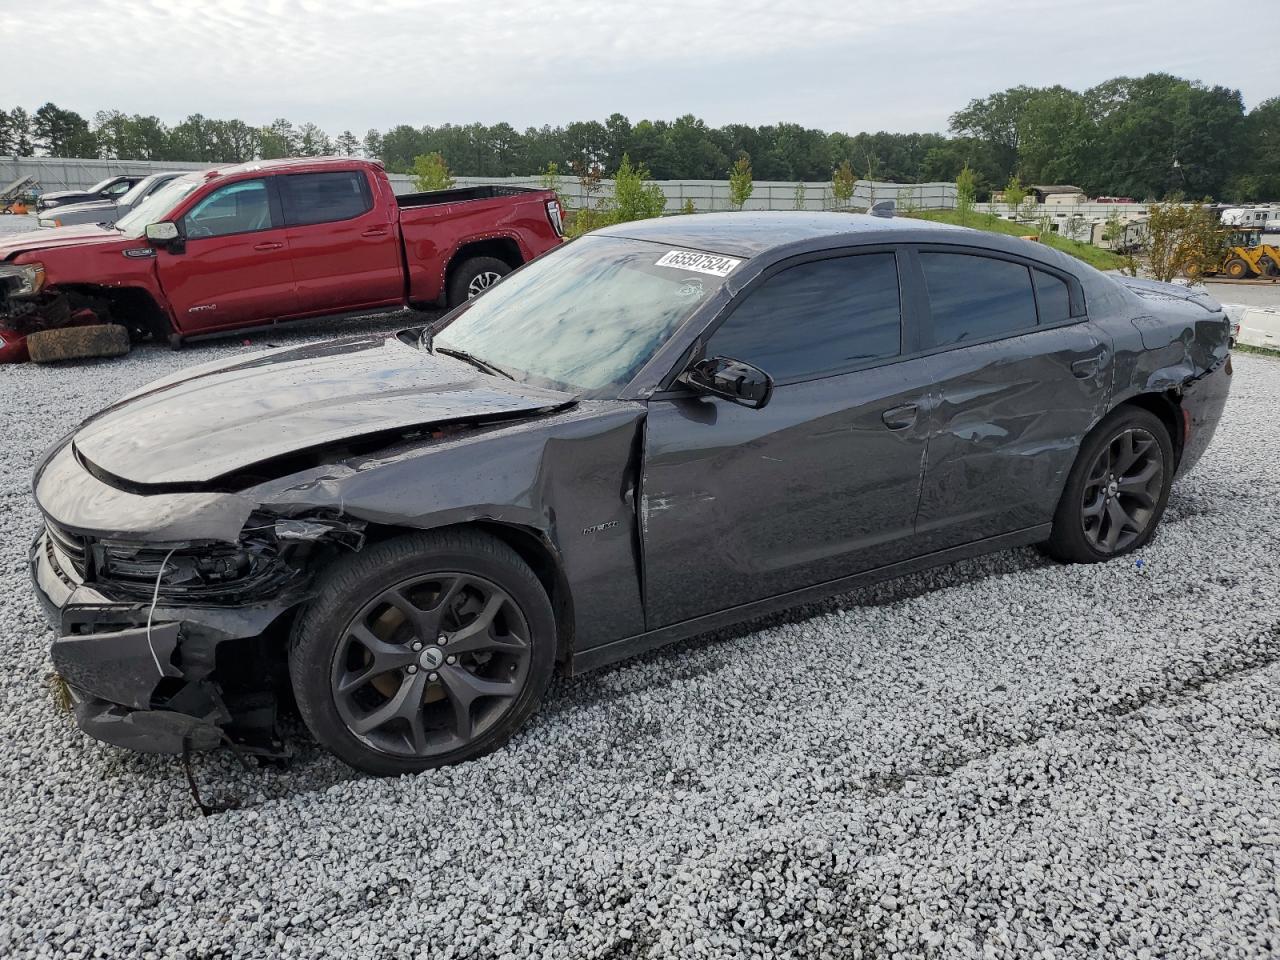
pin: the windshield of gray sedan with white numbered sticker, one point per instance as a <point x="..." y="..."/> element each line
<point x="587" y="317"/>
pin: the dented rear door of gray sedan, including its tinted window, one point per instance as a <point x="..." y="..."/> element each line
<point x="1009" y="412"/>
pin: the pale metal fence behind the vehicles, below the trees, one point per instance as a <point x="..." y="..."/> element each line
<point x="60" y="173"/>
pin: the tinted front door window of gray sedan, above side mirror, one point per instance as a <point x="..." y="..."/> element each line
<point x="817" y="319"/>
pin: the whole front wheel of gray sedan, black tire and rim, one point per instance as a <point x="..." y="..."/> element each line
<point x="335" y="696"/>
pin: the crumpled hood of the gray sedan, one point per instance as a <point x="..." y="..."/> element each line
<point x="205" y="423"/>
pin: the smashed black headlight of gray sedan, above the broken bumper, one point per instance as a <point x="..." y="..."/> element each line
<point x="272" y="555"/>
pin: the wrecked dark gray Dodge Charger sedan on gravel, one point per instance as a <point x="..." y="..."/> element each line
<point x="656" y="431"/>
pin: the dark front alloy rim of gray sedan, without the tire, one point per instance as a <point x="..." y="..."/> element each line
<point x="431" y="665"/>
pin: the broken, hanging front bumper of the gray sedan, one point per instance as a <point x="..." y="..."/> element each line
<point x="147" y="679"/>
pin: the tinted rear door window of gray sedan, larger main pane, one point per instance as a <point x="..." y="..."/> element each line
<point x="975" y="298"/>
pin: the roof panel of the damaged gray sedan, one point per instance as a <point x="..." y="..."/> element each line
<point x="787" y="234"/>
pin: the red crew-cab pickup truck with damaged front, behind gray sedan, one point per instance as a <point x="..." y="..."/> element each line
<point x="277" y="240"/>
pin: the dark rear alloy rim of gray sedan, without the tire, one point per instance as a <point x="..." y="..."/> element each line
<point x="1122" y="491"/>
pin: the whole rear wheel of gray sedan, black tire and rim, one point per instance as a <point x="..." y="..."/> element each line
<point x="1091" y="504"/>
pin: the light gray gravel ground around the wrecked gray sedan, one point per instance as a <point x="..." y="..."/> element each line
<point x="1000" y="758"/>
